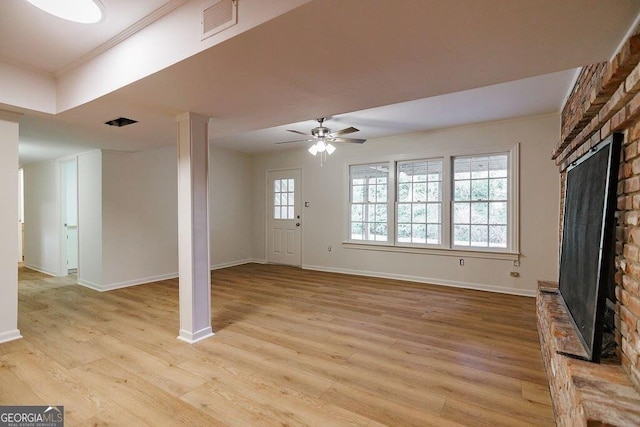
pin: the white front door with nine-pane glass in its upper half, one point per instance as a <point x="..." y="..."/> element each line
<point x="284" y="217"/>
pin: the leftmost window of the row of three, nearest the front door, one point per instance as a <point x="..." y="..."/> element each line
<point x="368" y="202"/>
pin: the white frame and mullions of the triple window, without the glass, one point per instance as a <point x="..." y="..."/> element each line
<point x="512" y="252"/>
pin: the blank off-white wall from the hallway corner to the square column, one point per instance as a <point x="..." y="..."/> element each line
<point x="140" y="234"/>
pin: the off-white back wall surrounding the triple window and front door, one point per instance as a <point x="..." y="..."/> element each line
<point x="324" y="222"/>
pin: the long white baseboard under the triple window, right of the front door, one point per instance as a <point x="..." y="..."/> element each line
<point x="427" y="280"/>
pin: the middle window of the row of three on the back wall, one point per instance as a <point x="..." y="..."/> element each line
<point x="419" y="207"/>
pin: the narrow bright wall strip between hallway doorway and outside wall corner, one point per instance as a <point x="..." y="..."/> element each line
<point x="90" y="219"/>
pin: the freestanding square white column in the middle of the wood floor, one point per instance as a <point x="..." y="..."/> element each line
<point x="193" y="227"/>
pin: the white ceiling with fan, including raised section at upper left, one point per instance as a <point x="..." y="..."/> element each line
<point x="383" y="66"/>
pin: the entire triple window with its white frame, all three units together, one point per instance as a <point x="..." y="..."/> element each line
<point x="466" y="202"/>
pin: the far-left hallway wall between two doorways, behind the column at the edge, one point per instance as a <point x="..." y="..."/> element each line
<point x="42" y="217"/>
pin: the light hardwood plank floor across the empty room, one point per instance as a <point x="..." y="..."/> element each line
<point x="292" y="347"/>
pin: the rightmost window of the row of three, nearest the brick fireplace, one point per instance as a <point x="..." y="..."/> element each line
<point x="480" y="201"/>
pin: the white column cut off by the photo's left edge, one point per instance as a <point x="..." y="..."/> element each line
<point x="9" y="129"/>
